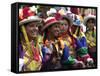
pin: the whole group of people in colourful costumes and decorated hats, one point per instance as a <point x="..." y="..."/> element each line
<point x="57" y="42"/>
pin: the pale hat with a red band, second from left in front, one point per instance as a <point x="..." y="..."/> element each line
<point x="49" y="21"/>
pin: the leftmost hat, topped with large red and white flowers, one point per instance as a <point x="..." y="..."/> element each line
<point x="28" y="14"/>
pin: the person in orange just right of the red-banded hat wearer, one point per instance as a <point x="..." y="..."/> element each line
<point x="65" y="34"/>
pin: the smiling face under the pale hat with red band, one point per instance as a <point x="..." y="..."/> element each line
<point x="55" y="29"/>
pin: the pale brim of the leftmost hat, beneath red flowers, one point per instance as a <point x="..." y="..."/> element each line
<point x="30" y="19"/>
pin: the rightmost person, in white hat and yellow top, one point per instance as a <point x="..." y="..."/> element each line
<point x="90" y="23"/>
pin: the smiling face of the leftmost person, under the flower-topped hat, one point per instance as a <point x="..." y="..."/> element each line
<point x="32" y="29"/>
